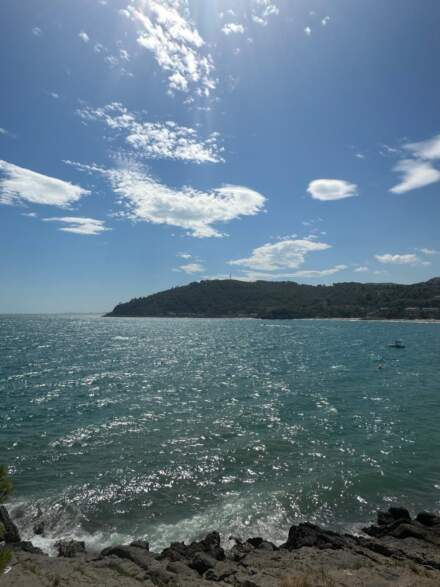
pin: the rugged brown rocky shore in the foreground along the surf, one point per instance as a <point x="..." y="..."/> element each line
<point x="397" y="550"/>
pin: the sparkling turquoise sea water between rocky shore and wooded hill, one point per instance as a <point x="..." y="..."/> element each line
<point x="168" y="428"/>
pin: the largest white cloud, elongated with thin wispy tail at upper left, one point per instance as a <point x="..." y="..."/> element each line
<point x="188" y="208"/>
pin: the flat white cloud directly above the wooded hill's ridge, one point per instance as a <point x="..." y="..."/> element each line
<point x="286" y="254"/>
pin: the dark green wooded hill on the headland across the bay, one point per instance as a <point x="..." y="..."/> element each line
<point x="283" y="300"/>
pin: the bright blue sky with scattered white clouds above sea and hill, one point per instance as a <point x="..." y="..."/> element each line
<point x="146" y="144"/>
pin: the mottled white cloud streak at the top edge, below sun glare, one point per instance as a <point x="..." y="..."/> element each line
<point x="176" y="45"/>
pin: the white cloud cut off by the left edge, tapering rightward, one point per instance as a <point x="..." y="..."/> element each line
<point x="18" y="185"/>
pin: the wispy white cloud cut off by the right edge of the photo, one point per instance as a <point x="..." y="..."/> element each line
<point x="419" y="171"/>
